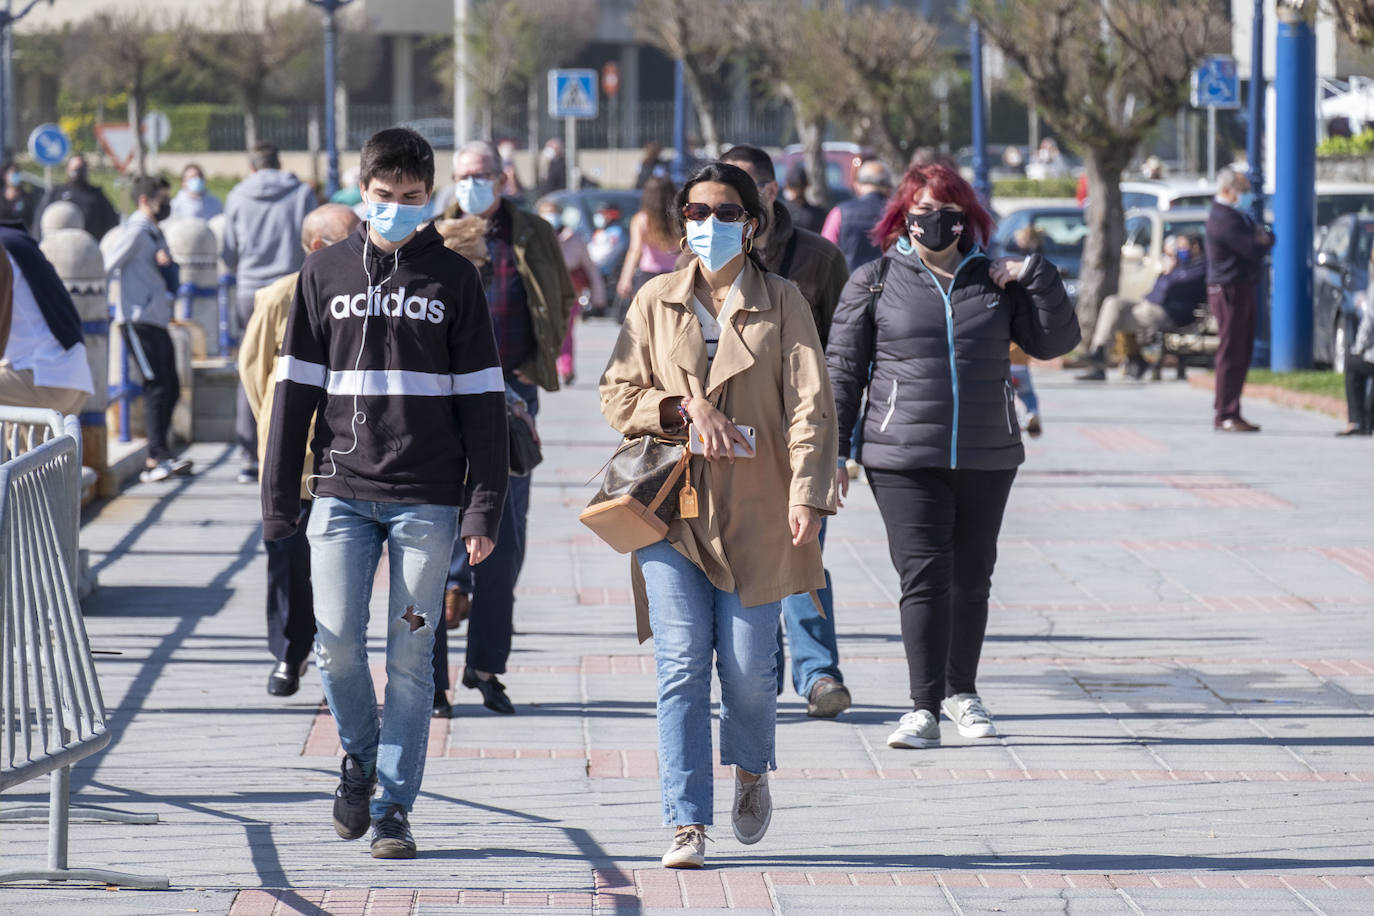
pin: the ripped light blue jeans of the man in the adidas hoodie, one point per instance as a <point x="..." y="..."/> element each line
<point x="347" y="539"/>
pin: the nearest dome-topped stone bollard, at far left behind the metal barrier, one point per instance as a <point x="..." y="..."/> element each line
<point x="78" y="260"/>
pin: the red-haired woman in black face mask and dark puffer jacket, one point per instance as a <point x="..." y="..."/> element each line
<point x="927" y="330"/>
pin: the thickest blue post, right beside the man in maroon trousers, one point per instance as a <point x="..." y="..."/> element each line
<point x="1295" y="87"/>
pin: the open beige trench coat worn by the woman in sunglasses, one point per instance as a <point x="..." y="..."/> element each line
<point x="777" y="378"/>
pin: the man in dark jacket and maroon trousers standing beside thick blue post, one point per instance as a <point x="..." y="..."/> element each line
<point x="1236" y="251"/>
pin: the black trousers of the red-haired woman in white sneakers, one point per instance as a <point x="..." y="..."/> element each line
<point x="943" y="538"/>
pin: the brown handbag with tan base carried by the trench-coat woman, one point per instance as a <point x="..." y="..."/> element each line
<point x="648" y="484"/>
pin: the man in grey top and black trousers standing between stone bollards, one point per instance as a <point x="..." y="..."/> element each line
<point x="142" y="277"/>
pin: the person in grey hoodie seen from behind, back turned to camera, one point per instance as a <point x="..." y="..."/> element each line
<point x="263" y="218"/>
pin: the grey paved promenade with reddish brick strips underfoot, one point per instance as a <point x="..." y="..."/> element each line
<point x="1181" y="663"/>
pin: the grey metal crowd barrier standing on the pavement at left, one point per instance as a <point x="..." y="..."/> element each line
<point x="52" y="712"/>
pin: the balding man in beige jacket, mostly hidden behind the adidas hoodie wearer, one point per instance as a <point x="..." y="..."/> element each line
<point x="291" y="601"/>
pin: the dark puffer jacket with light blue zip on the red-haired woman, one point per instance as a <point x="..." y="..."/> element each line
<point x="941" y="393"/>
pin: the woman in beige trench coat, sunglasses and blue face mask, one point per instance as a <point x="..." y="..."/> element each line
<point x="719" y="344"/>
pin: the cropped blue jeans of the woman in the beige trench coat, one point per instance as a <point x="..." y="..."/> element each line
<point x="693" y="620"/>
